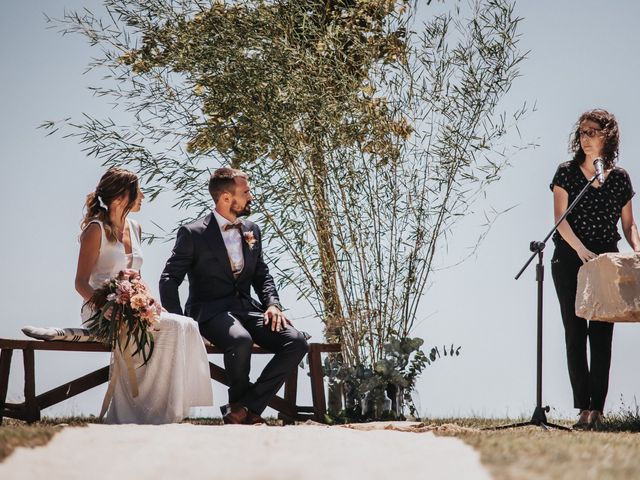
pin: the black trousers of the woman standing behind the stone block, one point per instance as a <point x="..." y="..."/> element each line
<point x="589" y="383"/>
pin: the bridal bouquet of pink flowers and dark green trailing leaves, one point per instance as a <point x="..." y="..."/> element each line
<point x="124" y="313"/>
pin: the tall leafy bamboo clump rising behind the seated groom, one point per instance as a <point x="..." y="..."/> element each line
<point x="367" y="133"/>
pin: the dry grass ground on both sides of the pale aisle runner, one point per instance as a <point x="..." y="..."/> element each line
<point x="515" y="454"/>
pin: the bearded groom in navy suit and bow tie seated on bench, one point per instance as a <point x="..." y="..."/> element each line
<point x="222" y="256"/>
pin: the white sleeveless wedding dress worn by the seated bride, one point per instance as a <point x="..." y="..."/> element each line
<point x="176" y="377"/>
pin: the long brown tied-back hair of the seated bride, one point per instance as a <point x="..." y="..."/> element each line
<point x="115" y="183"/>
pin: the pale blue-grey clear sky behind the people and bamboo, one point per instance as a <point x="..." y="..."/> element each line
<point x="582" y="55"/>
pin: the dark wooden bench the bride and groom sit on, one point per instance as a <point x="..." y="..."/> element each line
<point x="33" y="404"/>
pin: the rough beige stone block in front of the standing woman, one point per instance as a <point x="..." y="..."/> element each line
<point x="609" y="288"/>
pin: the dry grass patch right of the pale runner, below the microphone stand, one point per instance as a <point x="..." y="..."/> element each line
<point x="535" y="453"/>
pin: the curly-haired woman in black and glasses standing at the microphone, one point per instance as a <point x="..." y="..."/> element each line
<point x="589" y="230"/>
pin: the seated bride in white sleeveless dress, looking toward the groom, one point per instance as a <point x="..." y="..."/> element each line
<point x="176" y="377"/>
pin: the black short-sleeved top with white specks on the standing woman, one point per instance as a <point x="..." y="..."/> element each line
<point x="595" y="218"/>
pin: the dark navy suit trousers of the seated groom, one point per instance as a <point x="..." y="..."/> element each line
<point x="235" y="333"/>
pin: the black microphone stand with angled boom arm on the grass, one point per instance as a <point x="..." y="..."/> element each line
<point x="539" y="417"/>
